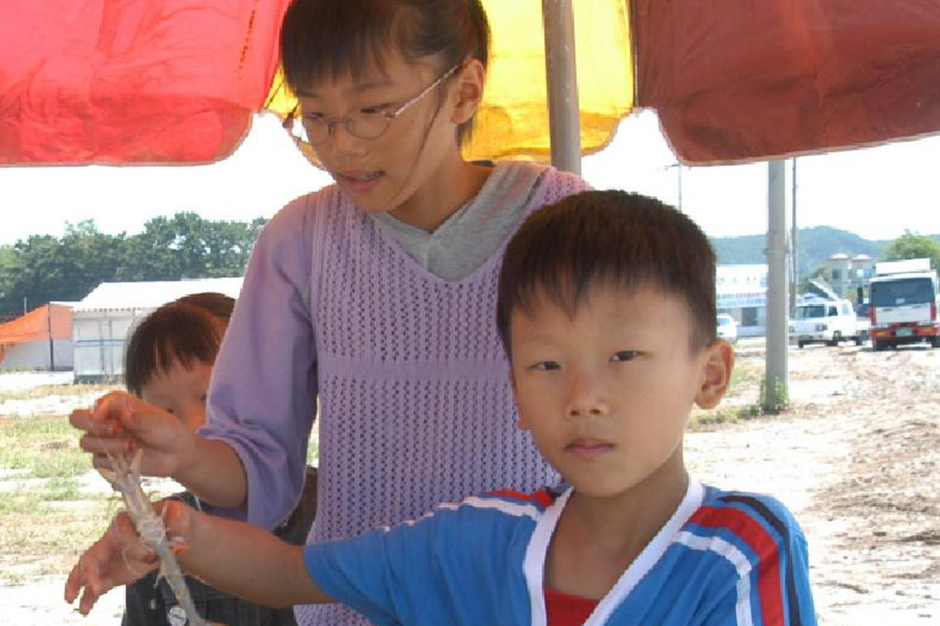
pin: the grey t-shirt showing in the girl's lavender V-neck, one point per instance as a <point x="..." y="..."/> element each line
<point x="475" y="231"/>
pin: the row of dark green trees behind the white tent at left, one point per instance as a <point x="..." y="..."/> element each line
<point x="44" y="268"/>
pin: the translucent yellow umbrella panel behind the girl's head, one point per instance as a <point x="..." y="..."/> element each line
<point x="513" y="120"/>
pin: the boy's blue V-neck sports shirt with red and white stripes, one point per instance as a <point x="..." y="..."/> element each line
<point x="723" y="558"/>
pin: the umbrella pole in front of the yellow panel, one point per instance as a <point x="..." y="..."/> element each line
<point x="564" y="115"/>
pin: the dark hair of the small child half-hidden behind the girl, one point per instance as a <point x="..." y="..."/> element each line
<point x="185" y="331"/>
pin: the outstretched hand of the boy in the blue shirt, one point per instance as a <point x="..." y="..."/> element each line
<point x="118" y="558"/>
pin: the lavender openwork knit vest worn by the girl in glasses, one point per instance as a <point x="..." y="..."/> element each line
<point x="415" y="406"/>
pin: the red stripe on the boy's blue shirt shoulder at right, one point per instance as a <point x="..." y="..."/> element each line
<point x="768" y="568"/>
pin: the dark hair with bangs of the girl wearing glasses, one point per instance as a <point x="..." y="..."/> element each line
<point x="328" y="39"/>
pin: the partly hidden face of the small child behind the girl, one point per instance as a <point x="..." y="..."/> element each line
<point x="180" y="391"/>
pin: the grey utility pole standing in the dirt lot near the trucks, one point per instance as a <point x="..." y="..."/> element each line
<point x="776" y="380"/>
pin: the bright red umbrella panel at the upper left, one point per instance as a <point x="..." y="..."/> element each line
<point x="132" y="81"/>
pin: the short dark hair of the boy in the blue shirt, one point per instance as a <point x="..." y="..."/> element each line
<point x="621" y="238"/>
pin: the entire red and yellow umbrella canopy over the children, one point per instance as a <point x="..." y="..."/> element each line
<point x="176" y="81"/>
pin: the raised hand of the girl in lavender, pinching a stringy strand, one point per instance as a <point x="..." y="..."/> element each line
<point x="119" y="422"/>
